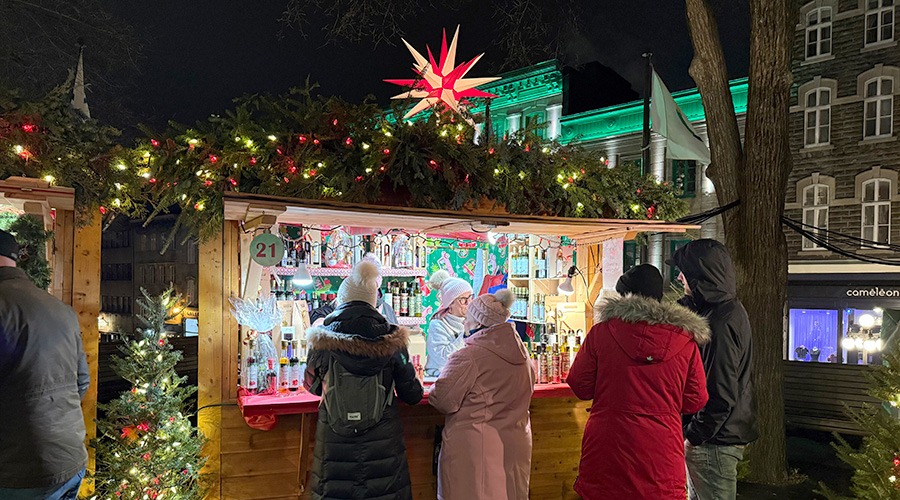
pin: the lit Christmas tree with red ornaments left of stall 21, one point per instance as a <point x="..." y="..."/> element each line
<point x="147" y="448"/>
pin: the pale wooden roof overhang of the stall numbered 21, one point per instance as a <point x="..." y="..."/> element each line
<point x="246" y="207"/>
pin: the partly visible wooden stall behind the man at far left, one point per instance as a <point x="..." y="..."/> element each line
<point x="74" y="256"/>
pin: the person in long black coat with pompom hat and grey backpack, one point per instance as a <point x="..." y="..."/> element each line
<point x="372" y="464"/>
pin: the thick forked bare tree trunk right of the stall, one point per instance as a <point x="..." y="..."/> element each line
<point x="757" y="175"/>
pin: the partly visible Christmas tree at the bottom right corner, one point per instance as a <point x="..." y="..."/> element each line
<point x="877" y="464"/>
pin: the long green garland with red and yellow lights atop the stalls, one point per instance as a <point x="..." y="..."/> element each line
<point x="304" y="146"/>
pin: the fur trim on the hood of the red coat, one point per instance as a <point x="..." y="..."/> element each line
<point x="638" y="309"/>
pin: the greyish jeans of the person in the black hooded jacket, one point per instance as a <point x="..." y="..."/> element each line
<point x="712" y="471"/>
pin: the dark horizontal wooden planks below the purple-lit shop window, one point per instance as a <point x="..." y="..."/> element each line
<point x="815" y="395"/>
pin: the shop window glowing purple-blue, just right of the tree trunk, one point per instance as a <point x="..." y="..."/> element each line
<point x="813" y="335"/>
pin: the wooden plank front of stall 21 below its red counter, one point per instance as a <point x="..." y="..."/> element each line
<point x="265" y="465"/>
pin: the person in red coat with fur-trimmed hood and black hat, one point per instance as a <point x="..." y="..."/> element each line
<point x="641" y="366"/>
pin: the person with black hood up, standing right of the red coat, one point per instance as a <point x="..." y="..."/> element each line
<point x="716" y="436"/>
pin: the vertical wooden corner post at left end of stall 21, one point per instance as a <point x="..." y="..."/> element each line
<point x="211" y="297"/>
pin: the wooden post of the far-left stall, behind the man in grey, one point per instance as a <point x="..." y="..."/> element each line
<point x="86" y="302"/>
